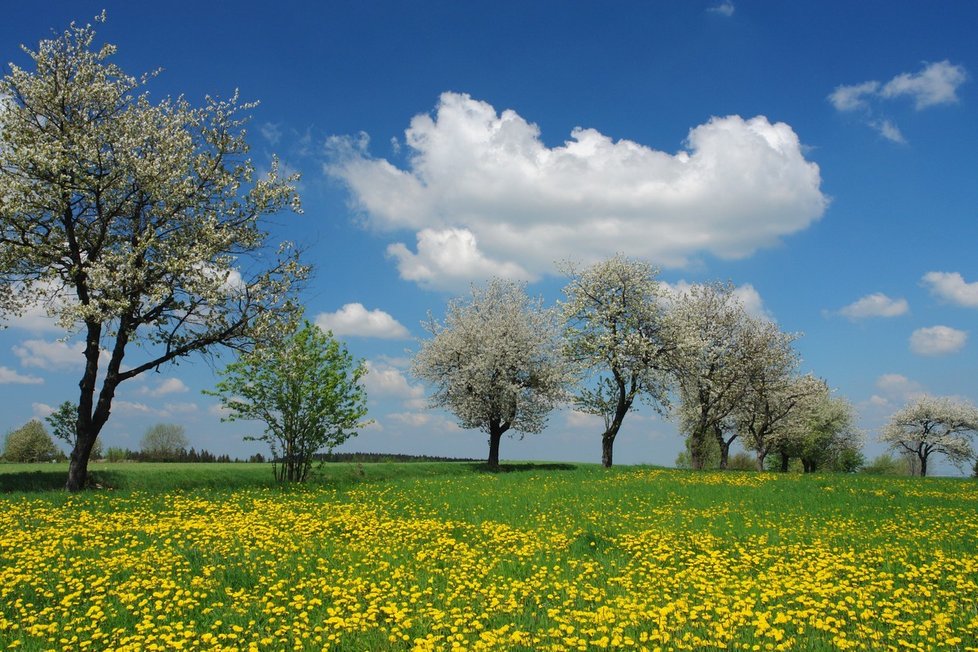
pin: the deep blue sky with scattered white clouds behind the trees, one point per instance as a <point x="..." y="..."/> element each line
<point x="820" y="155"/>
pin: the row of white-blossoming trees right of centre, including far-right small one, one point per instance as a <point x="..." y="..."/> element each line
<point x="501" y="362"/>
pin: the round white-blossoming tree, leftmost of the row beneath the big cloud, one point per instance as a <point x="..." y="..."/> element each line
<point x="496" y="362"/>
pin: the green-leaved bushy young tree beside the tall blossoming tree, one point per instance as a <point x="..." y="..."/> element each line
<point x="306" y="389"/>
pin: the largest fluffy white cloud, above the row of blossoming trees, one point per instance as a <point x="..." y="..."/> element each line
<point x="483" y="185"/>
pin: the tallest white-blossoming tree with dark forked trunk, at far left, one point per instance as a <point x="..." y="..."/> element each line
<point x="134" y="222"/>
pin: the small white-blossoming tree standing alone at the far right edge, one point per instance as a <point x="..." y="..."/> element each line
<point x="933" y="425"/>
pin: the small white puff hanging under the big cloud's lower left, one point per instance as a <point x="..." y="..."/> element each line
<point x="448" y="259"/>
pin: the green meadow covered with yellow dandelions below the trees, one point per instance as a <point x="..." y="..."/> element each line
<point x="539" y="558"/>
